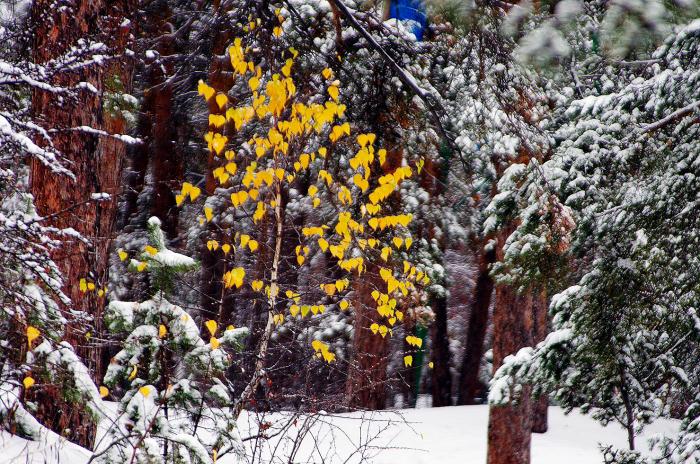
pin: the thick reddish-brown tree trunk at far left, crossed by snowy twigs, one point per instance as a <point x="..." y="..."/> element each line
<point x="95" y="162"/>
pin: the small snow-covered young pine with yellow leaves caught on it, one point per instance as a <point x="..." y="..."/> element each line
<point x="175" y="398"/>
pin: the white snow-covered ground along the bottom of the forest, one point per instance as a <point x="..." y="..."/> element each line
<point x="417" y="436"/>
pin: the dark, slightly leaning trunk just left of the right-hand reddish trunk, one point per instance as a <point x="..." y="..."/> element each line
<point x="469" y="384"/>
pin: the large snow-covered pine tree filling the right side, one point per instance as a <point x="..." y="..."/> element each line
<point x="627" y="335"/>
